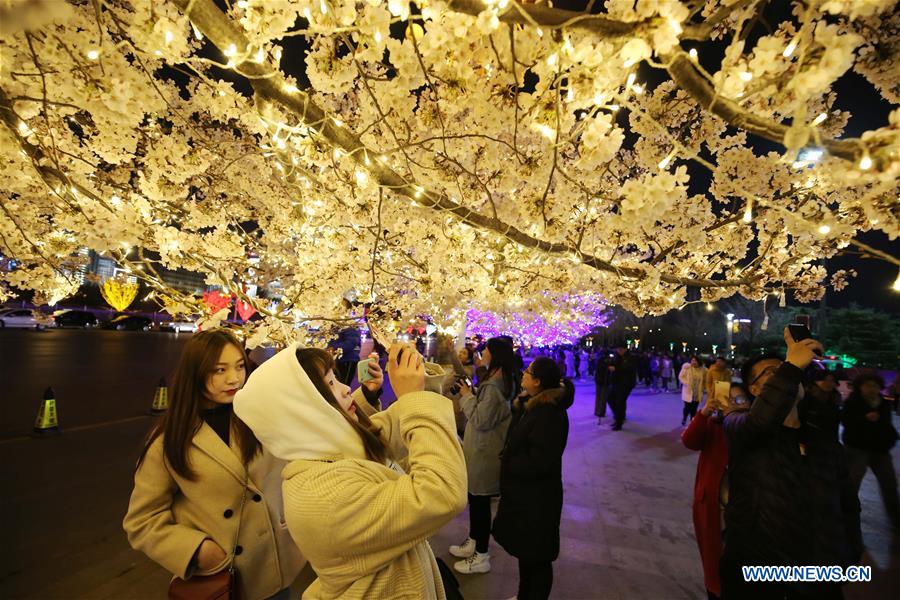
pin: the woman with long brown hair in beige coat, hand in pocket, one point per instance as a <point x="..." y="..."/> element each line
<point x="206" y="494"/>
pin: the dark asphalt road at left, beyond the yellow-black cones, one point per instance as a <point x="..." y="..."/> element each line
<point x="97" y="376"/>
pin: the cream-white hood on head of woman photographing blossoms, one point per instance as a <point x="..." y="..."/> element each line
<point x="289" y="417"/>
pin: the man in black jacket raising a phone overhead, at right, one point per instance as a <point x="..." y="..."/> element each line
<point x="791" y="501"/>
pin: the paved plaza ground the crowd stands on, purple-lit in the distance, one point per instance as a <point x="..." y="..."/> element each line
<point x="626" y="527"/>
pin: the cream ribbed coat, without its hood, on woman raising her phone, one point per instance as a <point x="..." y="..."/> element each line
<point x="362" y="525"/>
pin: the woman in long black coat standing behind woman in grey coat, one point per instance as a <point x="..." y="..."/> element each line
<point x="531" y="495"/>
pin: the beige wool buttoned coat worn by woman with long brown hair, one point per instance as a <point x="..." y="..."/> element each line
<point x="169" y="516"/>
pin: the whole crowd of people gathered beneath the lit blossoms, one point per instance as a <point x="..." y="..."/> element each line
<point x="267" y="472"/>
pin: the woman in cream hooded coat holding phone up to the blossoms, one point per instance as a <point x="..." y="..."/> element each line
<point x="362" y="524"/>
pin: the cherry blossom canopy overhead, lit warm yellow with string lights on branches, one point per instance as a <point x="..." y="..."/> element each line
<point x="438" y="155"/>
